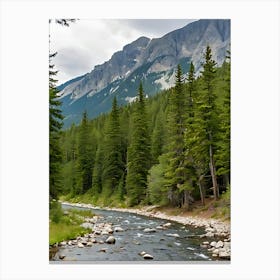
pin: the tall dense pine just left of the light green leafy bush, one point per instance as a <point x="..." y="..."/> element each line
<point x="138" y="157"/>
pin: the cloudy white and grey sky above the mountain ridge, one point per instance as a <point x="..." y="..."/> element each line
<point x="87" y="43"/>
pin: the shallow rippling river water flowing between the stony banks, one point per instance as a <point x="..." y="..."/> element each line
<point x="176" y="243"/>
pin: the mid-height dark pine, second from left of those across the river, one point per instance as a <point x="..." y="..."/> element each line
<point x="113" y="166"/>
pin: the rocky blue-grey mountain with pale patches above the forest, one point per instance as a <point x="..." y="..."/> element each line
<point x="151" y="60"/>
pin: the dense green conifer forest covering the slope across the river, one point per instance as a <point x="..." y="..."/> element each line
<point x="171" y="149"/>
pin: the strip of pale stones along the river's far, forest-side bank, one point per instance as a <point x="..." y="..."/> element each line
<point x="213" y="227"/>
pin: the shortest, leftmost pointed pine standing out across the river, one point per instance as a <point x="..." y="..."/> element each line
<point x="85" y="155"/>
